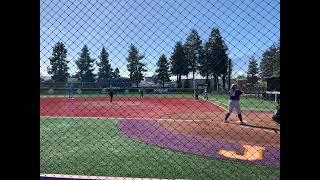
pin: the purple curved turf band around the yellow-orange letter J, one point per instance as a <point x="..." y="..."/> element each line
<point x="151" y="132"/>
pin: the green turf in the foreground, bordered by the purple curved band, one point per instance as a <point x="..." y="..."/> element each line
<point x="96" y="147"/>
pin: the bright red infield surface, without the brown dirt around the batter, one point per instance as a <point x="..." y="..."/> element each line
<point x="154" y="108"/>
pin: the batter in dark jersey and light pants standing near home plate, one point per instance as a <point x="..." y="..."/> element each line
<point x="234" y="98"/>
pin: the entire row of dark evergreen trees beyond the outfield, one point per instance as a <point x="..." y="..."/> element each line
<point x="209" y="59"/>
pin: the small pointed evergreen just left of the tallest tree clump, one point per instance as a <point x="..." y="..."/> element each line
<point x="163" y="70"/>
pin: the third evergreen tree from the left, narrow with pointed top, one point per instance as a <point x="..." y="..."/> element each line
<point x="105" y="70"/>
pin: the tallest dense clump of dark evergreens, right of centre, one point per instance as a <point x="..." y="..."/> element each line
<point x="210" y="59"/>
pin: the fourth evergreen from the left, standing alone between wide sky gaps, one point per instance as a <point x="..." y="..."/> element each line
<point x="135" y="66"/>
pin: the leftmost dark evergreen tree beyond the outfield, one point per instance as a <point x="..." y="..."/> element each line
<point x="59" y="65"/>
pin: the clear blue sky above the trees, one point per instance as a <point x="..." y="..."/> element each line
<point x="248" y="28"/>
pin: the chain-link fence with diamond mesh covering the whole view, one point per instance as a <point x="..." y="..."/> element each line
<point x="160" y="89"/>
